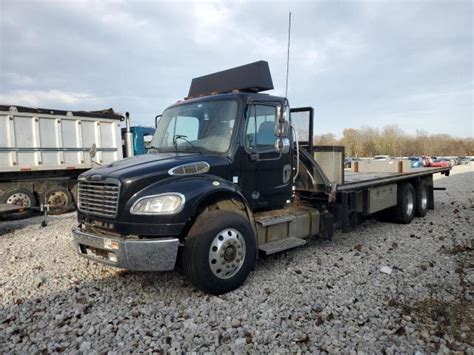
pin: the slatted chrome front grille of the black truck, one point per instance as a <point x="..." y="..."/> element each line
<point x="98" y="197"/>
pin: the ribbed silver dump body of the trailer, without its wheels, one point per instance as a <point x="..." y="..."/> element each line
<point x="41" y="140"/>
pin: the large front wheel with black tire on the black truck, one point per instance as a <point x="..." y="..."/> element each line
<point x="219" y="251"/>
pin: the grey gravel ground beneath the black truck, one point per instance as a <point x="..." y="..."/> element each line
<point x="329" y="296"/>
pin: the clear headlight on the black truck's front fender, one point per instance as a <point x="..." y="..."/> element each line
<point x="168" y="203"/>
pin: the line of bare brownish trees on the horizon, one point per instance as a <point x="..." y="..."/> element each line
<point x="393" y="141"/>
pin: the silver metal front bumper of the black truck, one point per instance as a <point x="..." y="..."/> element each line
<point x="142" y="254"/>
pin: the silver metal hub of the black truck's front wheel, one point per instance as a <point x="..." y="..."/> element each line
<point x="227" y="253"/>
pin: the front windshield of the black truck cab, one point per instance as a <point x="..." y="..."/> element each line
<point x="204" y="126"/>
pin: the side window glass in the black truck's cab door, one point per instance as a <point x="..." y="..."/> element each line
<point x="261" y="126"/>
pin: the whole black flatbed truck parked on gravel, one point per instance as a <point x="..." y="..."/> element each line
<point x="229" y="177"/>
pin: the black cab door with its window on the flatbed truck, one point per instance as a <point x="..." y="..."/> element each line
<point x="269" y="169"/>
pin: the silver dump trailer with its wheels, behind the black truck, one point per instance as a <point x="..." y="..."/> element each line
<point x="43" y="151"/>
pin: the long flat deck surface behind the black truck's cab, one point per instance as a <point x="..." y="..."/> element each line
<point x="354" y="181"/>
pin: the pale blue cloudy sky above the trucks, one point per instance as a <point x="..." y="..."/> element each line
<point x="372" y="63"/>
